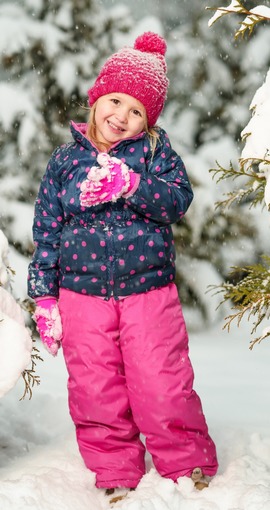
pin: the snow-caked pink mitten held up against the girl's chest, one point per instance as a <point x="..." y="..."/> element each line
<point x="106" y="183"/>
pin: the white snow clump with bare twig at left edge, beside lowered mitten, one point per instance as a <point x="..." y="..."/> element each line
<point x="15" y="339"/>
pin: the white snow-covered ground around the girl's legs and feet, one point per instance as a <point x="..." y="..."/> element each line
<point x="41" y="469"/>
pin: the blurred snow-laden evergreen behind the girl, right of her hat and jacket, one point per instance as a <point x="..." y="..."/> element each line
<point x="210" y="90"/>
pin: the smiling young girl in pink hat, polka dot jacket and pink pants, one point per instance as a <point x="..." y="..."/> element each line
<point x="104" y="259"/>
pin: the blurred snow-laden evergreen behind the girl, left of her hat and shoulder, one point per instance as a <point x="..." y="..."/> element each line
<point x="50" y="58"/>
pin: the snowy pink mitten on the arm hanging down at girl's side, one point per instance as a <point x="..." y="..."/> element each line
<point x="48" y="321"/>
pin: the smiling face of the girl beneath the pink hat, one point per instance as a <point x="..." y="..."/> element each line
<point x="118" y="116"/>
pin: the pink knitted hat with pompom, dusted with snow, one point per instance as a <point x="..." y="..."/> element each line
<point x="139" y="72"/>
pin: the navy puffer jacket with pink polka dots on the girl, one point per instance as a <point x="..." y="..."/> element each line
<point x="113" y="249"/>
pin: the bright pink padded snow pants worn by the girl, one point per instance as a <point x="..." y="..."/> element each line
<point x="130" y="374"/>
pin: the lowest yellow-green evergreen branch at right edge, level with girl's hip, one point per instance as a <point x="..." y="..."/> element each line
<point x="250" y="297"/>
